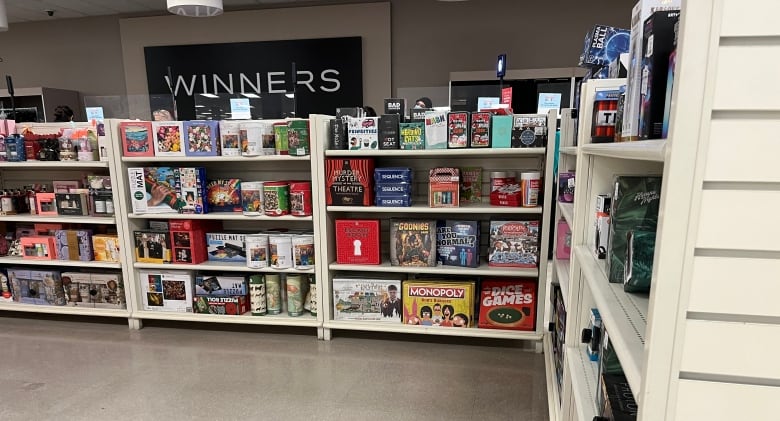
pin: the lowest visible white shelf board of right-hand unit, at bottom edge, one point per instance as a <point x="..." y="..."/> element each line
<point x="584" y="381"/>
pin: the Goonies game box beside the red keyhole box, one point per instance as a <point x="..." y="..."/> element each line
<point x="412" y="242"/>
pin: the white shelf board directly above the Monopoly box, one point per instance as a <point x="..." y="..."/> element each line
<point x="482" y="270"/>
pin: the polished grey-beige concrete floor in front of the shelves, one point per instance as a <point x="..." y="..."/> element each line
<point x="91" y="371"/>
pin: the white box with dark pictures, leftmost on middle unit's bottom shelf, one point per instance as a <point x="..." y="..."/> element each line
<point x="166" y="291"/>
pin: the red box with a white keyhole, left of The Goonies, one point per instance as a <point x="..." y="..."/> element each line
<point x="357" y="241"/>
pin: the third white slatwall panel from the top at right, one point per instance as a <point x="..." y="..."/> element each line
<point x="732" y="153"/>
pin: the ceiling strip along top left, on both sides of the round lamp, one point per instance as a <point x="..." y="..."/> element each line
<point x="34" y="10"/>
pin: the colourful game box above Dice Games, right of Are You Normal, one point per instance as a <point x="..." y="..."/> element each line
<point x="514" y="244"/>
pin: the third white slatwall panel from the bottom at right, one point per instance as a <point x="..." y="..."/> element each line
<point x="735" y="286"/>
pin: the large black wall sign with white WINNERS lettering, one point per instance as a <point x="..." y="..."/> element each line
<point x="328" y="74"/>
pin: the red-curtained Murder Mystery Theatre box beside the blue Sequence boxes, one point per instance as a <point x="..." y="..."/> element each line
<point x="349" y="182"/>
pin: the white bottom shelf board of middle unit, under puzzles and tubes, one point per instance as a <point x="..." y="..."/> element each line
<point x="275" y="320"/>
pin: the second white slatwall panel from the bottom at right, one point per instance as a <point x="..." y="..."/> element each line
<point x="731" y="349"/>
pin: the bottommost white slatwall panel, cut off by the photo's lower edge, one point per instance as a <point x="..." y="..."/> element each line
<point x="712" y="401"/>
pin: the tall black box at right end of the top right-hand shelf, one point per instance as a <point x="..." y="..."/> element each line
<point x="657" y="45"/>
